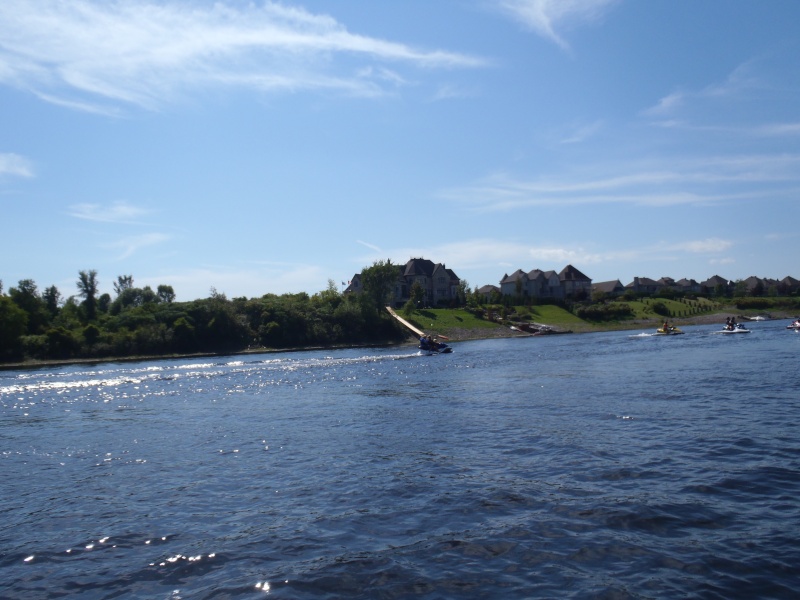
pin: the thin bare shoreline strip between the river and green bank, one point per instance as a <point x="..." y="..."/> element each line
<point x="461" y="335"/>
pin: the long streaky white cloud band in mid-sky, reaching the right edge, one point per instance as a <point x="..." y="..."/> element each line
<point x="673" y="182"/>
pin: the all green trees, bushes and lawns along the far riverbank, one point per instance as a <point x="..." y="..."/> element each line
<point x="142" y="322"/>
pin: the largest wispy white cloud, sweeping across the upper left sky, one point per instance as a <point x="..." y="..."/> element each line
<point x="94" y="55"/>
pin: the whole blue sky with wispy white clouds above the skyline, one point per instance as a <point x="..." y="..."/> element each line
<point x="258" y="147"/>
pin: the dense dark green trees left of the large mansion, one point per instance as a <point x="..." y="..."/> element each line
<point x="140" y="321"/>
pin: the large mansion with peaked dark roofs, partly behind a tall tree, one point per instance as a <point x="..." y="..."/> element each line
<point x="440" y="283"/>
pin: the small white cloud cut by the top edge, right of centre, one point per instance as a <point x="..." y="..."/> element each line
<point x="545" y="16"/>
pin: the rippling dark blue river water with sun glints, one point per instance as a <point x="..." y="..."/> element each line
<point x="614" y="465"/>
